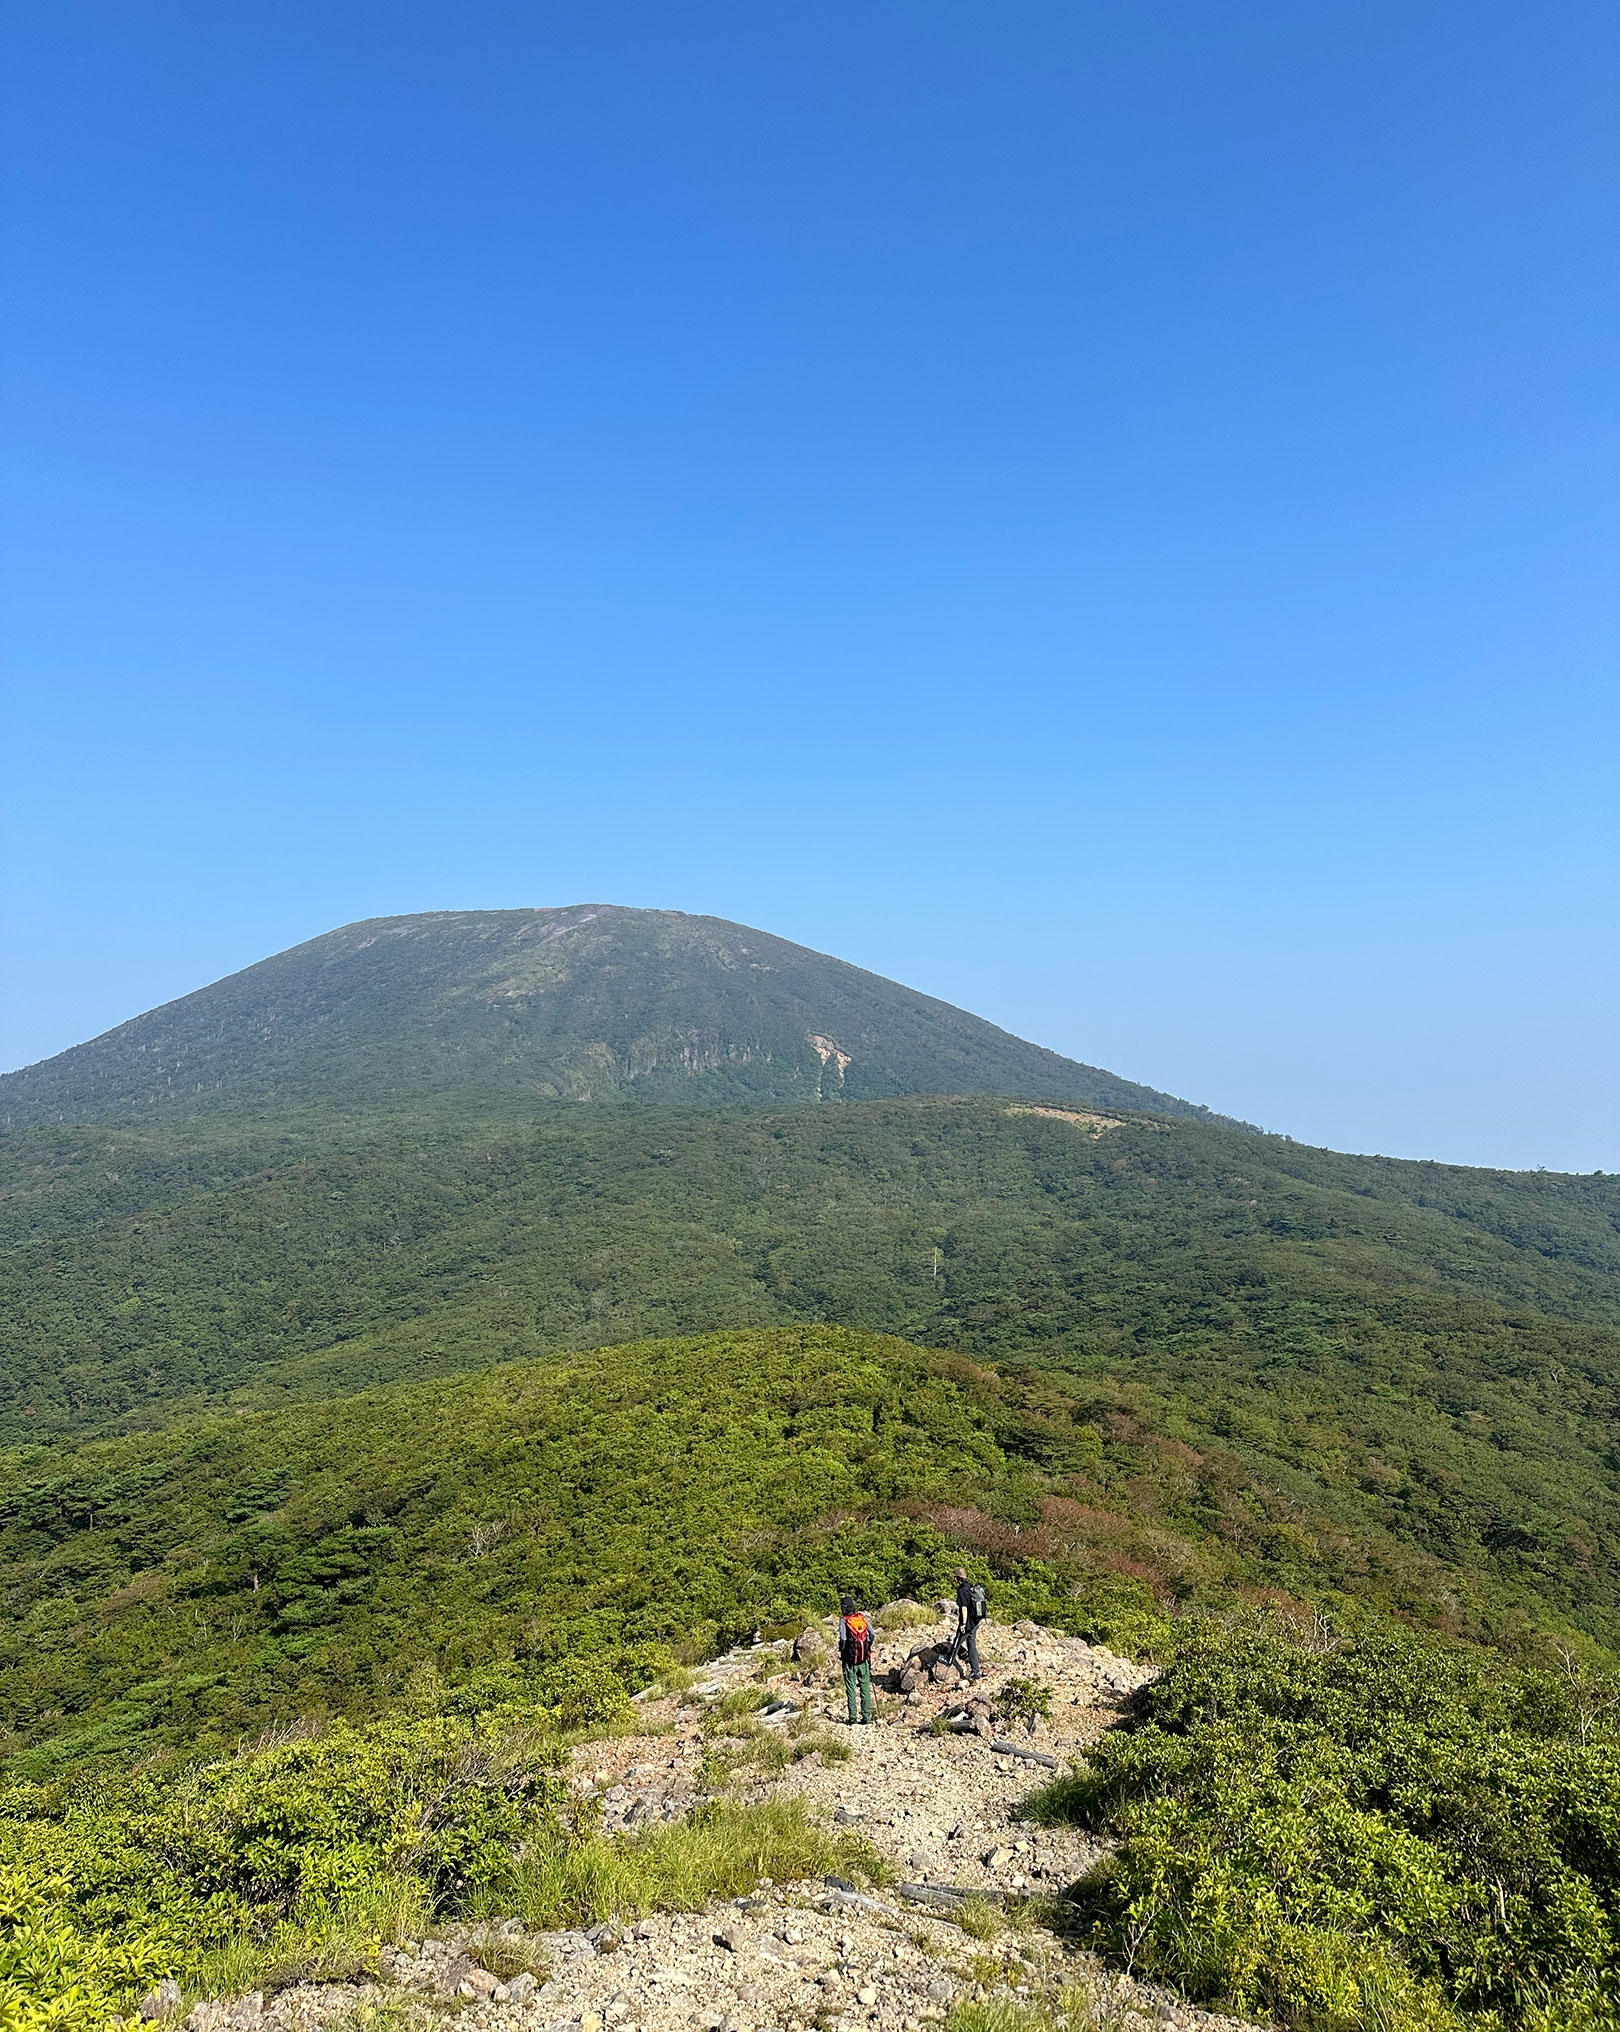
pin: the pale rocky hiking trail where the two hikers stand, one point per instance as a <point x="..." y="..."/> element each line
<point x="932" y="1785"/>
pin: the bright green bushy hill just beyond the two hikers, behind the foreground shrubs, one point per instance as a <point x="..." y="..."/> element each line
<point x="212" y="1580"/>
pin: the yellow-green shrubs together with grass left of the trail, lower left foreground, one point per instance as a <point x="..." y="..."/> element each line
<point x="302" y="1858"/>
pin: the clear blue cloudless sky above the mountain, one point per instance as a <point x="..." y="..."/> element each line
<point x="1103" y="513"/>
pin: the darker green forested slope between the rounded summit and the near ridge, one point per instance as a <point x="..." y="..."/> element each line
<point x="975" y="1224"/>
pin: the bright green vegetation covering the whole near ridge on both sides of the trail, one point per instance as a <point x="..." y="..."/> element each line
<point x="273" y="1686"/>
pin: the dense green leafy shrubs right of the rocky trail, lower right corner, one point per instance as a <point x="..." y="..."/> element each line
<point x="1375" y="1832"/>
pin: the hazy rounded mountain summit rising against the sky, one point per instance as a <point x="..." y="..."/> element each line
<point x="491" y="1011"/>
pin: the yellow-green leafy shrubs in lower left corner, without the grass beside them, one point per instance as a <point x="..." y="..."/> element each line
<point x="117" y="1879"/>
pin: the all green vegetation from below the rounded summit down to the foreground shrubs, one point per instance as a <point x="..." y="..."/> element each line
<point x="347" y="1462"/>
